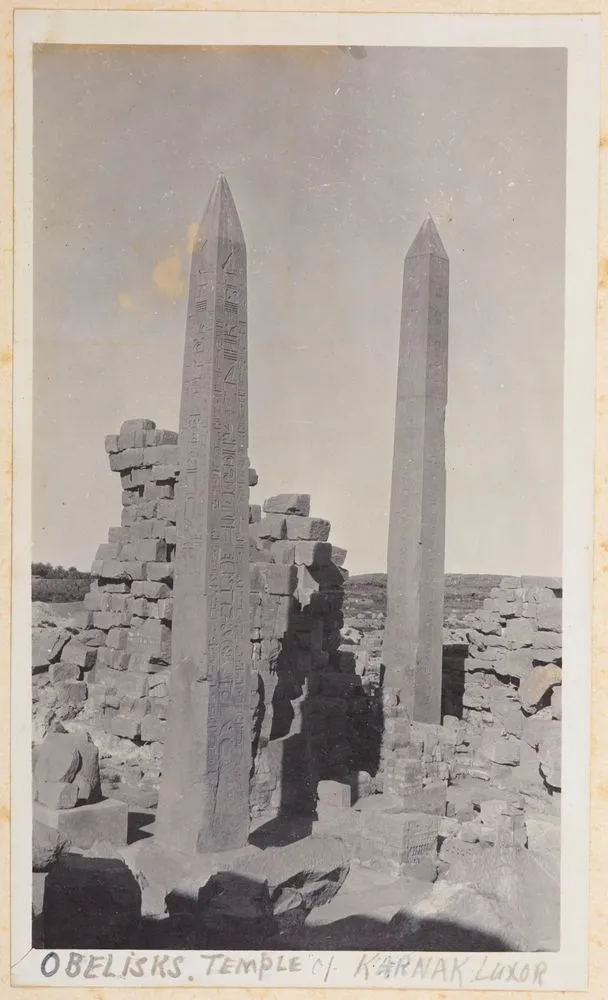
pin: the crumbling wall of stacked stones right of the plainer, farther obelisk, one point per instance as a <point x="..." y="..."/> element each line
<point x="512" y="687"/>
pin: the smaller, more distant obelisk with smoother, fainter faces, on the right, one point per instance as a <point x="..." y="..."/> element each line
<point x="413" y="644"/>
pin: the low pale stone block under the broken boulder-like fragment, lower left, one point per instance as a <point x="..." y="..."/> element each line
<point x="84" y="825"/>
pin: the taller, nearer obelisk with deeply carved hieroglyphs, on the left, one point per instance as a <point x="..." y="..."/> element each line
<point x="204" y="797"/>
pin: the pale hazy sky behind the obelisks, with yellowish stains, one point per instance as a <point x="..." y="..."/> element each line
<point x="334" y="161"/>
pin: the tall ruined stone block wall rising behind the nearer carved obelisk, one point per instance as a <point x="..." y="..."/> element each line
<point x="306" y="713"/>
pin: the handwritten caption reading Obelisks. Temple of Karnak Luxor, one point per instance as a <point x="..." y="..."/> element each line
<point x="456" y="971"/>
